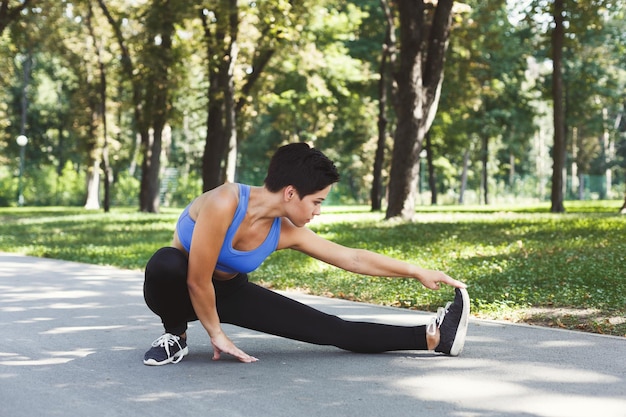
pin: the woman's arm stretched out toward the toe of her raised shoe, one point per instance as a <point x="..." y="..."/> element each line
<point x="362" y="261"/>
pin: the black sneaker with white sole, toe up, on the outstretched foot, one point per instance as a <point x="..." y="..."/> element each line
<point x="452" y="321"/>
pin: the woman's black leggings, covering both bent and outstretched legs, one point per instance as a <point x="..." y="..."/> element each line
<point x="248" y="305"/>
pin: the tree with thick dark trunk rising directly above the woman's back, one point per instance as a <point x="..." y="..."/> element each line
<point x="267" y="25"/>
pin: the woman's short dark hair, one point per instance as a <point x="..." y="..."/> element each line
<point x="306" y="168"/>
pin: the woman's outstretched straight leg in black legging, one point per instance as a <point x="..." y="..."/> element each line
<point x="245" y="304"/>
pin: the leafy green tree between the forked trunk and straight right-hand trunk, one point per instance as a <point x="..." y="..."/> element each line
<point x="486" y="94"/>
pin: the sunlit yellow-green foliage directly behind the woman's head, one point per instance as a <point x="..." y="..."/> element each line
<point x="317" y="89"/>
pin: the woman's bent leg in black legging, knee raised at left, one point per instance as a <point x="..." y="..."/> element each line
<point x="165" y="289"/>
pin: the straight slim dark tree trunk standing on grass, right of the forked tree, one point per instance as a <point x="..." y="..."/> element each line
<point x="558" y="35"/>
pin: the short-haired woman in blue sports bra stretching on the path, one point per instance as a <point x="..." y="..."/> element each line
<point x="227" y="232"/>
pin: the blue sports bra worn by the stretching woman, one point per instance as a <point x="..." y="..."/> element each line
<point x="231" y="260"/>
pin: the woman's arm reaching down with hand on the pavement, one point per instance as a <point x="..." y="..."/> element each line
<point x="213" y="215"/>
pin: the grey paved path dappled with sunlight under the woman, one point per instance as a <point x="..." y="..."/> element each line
<point x="73" y="338"/>
